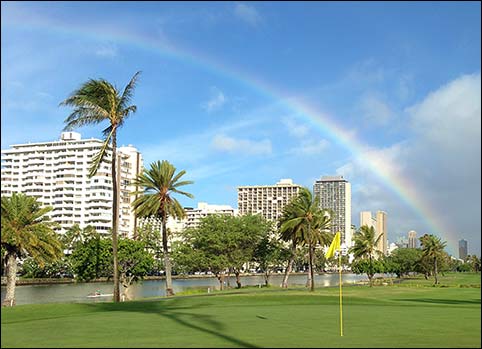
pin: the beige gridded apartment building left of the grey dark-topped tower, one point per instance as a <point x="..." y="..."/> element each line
<point x="266" y="200"/>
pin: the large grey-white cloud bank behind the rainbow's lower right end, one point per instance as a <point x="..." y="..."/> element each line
<point x="440" y="164"/>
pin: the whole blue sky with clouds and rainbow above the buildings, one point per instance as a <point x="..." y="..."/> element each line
<point x="386" y="94"/>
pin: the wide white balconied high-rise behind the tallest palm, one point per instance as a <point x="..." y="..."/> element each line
<point x="56" y="173"/>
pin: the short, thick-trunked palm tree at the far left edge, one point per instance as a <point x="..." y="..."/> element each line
<point x="26" y="231"/>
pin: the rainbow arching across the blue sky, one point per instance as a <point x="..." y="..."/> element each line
<point x="318" y="120"/>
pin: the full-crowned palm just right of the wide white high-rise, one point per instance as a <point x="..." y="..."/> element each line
<point x="158" y="185"/>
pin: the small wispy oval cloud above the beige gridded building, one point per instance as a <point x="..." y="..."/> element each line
<point x="242" y="146"/>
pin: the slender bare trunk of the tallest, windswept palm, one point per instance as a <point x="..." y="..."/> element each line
<point x="115" y="217"/>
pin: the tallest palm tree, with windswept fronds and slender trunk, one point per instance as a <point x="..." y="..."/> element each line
<point x="94" y="102"/>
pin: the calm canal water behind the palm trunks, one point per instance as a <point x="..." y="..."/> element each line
<point x="78" y="292"/>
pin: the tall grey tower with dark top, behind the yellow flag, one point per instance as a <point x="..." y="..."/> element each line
<point x="334" y="194"/>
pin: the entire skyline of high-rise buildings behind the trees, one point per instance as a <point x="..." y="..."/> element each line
<point x="56" y="173"/>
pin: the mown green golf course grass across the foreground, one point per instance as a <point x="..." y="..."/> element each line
<point x="382" y="316"/>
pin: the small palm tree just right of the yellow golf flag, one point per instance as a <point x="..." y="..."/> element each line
<point x="365" y="247"/>
